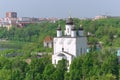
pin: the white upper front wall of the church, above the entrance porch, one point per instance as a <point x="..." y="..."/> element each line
<point x="67" y="43"/>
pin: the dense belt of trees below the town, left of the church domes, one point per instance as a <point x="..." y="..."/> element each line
<point x="30" y="33"/>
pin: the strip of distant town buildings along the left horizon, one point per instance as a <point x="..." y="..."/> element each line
<point x="11" y="19"/>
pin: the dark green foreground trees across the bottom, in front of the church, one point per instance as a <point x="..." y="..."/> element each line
<point x="95" y="65"/>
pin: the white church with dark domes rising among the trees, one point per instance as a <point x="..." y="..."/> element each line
<point x="70" y="45"/>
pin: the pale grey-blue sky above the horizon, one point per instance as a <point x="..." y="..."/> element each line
<point x="60" y="8"/>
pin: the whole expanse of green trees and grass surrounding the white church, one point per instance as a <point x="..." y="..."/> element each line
<point x="100" y="65"/>
